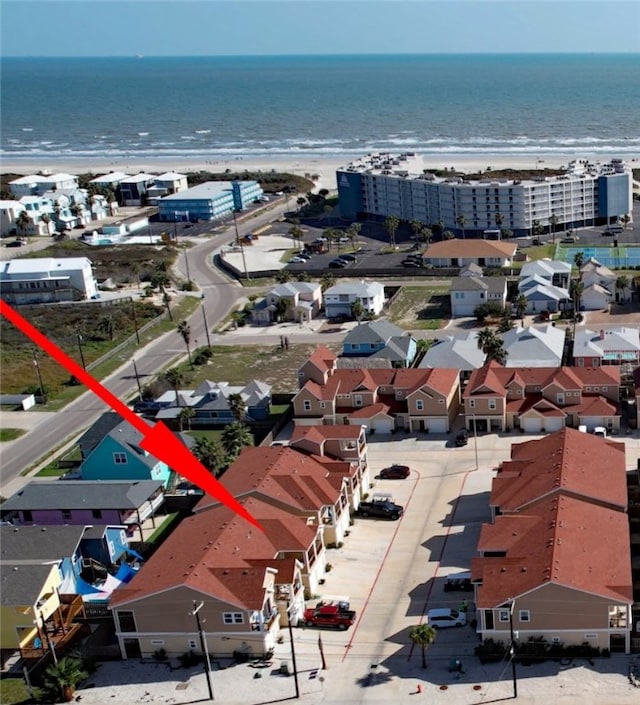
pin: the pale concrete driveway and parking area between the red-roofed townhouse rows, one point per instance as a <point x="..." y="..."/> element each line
<point x="393" y="572"/>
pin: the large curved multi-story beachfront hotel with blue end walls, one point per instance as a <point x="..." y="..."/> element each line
<point x="382" y="184"/>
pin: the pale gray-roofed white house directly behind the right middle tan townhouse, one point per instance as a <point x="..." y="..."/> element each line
<point x="533" y="346"/>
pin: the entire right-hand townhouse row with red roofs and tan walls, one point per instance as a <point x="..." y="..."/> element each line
<point x="560" y="537"/>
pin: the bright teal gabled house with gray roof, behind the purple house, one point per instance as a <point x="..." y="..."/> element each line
<point x="111" y="451"/>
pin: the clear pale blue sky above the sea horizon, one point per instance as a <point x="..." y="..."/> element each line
<point x="268" y="27"/>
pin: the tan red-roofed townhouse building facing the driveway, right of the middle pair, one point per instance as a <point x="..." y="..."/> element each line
<point x="541" y="399"/>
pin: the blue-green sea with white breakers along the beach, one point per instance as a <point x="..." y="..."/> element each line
<point x="212" y="107"/>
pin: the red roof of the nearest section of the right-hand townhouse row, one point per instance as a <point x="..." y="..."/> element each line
<point x="562" y="540"/>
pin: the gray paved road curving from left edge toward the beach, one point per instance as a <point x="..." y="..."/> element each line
<point x="220" y="295"/>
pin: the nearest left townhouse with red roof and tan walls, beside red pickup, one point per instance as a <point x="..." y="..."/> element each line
<point x="249" y="583"/>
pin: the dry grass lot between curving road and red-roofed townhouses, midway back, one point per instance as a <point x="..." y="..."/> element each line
<point x="238" y="365"/>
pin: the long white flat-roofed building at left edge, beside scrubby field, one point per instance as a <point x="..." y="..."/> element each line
<point x="47" y="280"/>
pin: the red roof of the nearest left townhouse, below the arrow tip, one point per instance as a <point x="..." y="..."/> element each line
<point x="204" y="546"/>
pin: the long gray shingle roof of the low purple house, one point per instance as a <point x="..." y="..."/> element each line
<point x="81" y="494"/>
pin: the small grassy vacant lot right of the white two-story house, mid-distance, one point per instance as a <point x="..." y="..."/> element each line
<point x="420" y="308"/>
